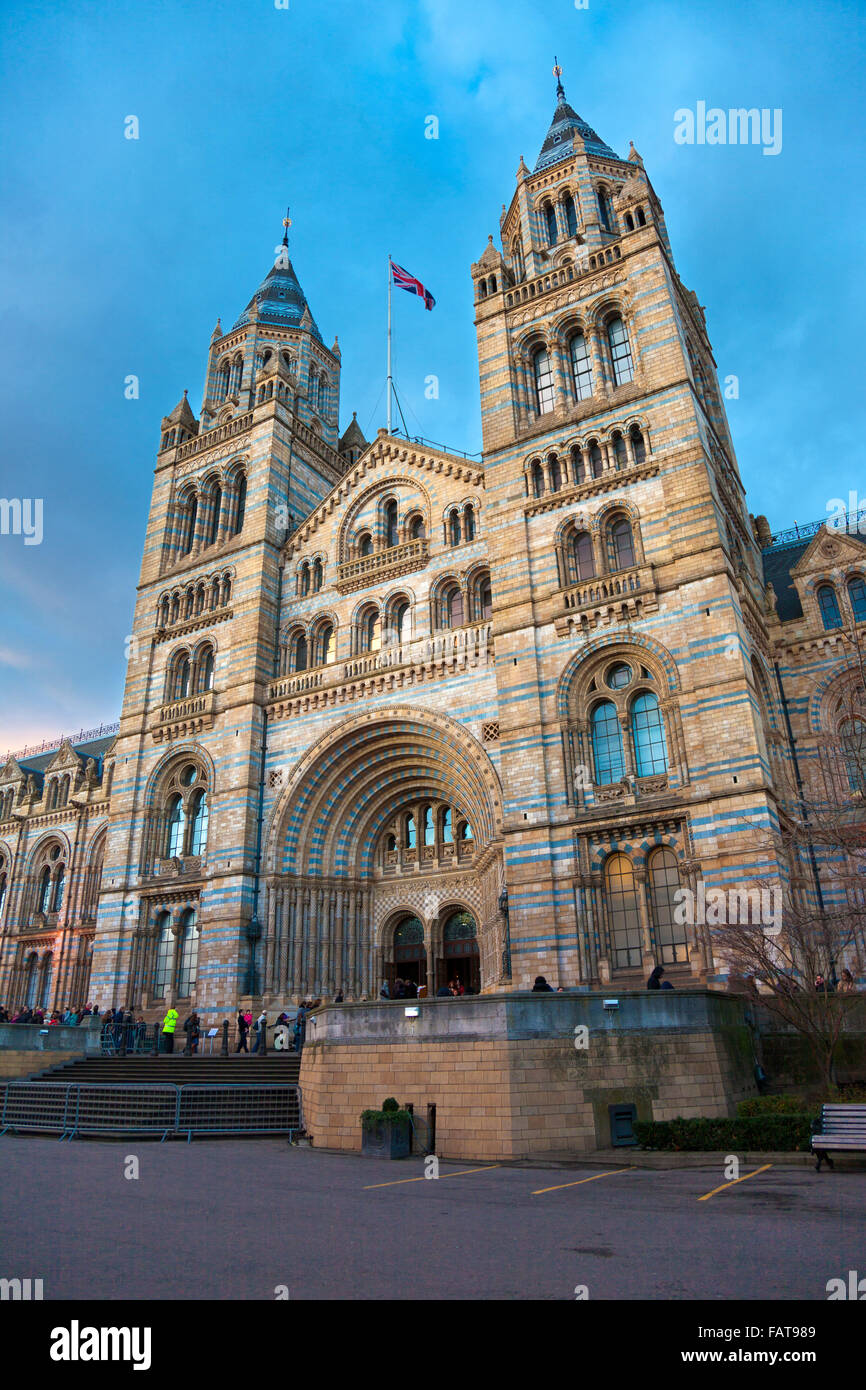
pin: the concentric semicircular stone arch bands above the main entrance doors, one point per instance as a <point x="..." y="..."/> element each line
<point x="350" y="785"/>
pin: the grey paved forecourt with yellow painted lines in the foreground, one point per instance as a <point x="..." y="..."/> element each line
<point x="237" y="1221"/>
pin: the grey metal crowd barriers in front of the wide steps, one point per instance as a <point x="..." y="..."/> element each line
<point x="151" y="1109"/>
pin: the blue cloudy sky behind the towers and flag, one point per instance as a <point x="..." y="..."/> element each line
<point x="116" y="256"/>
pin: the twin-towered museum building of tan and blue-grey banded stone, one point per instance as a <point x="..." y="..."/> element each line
<point x="391" y="711"/>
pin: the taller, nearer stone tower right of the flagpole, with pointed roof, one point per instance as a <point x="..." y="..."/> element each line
<point x="625" y="571"/>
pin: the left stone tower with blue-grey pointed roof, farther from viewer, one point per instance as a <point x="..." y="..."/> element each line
<point x="179" y="911"/>
